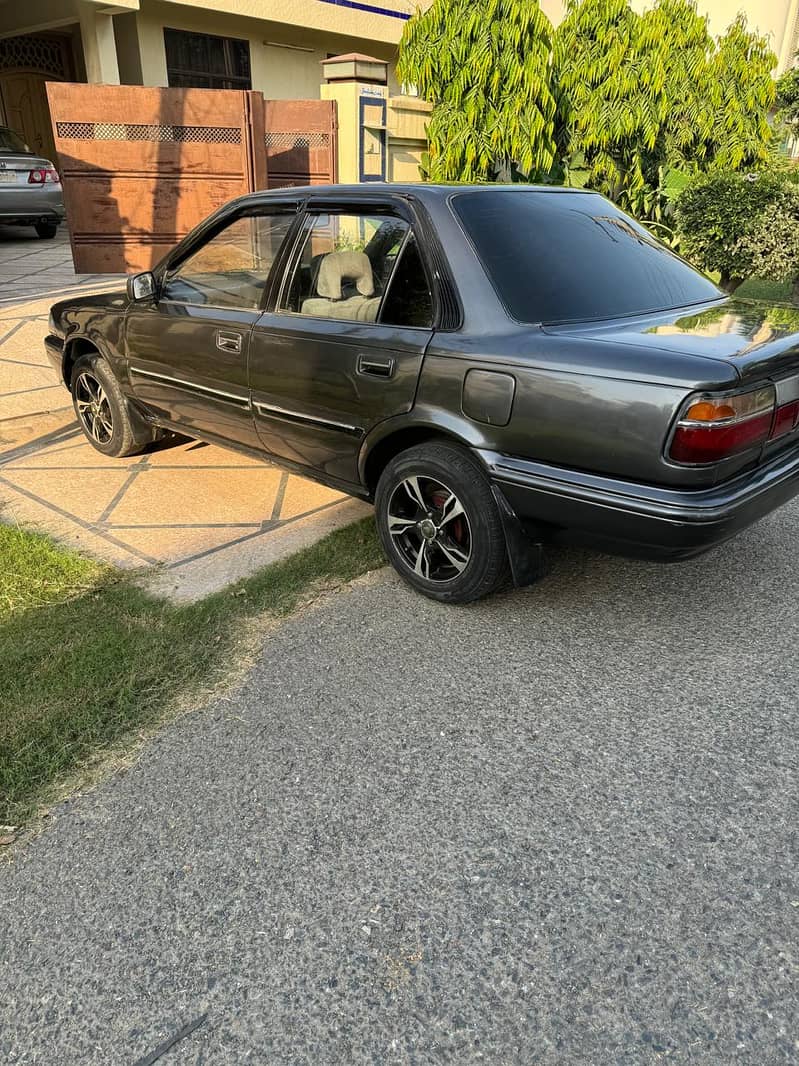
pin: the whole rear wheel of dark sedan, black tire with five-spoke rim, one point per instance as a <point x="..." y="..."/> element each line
<point x="471" y="539"/>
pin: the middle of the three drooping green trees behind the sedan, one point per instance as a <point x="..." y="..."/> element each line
<point x="611" y="80"/>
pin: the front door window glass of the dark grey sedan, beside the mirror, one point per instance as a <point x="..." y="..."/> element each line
<point x="233" y="267"/>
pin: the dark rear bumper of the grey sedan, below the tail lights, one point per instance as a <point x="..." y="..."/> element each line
<point x="646" y="522"/>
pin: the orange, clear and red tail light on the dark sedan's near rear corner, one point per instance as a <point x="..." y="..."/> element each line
<point x="715" y="427"/>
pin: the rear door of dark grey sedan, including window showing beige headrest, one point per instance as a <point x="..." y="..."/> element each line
<point x="343" y="349"/>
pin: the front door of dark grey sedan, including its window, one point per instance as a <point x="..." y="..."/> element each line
<point x="188" y="347"/>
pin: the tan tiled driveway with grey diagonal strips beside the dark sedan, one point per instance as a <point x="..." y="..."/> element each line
<point x="204" y="516"/>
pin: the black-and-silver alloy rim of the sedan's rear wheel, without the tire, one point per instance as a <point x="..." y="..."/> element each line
<point x="430" y="529"/>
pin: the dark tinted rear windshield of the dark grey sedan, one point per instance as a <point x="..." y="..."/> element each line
<point x="572" y="257"/>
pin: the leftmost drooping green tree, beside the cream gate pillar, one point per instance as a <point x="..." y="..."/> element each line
<point x="486" y="67"/>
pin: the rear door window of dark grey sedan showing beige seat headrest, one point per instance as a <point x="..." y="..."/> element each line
<point x="346" y="267"/>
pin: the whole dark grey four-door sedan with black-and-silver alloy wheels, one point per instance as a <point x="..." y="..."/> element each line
<point x="495" y="367"/>
